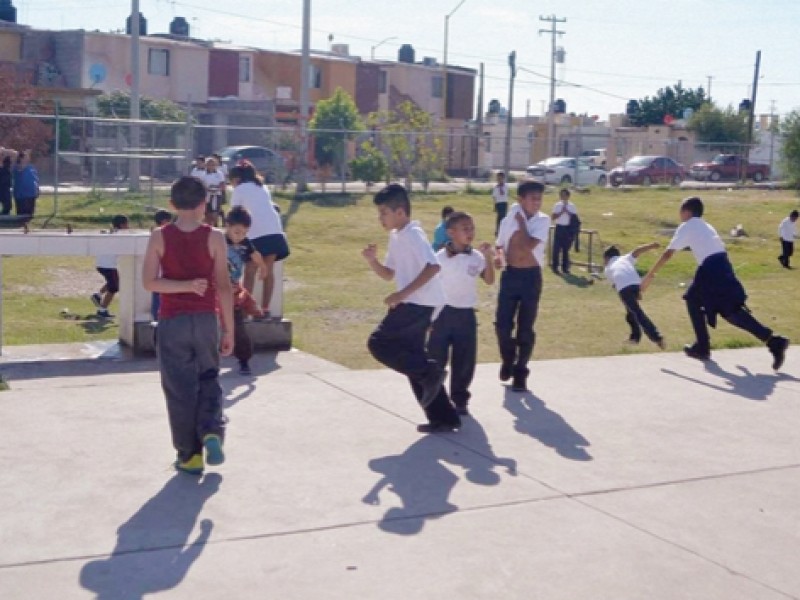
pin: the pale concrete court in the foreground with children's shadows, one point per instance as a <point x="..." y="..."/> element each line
<point x="631" y="477"/>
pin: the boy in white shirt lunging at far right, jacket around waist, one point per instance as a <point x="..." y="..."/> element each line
<point x="715" y="289"/>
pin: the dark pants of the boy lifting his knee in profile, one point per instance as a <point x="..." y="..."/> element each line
<point x="399" y="343"/>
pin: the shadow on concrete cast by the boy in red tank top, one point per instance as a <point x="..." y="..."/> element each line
<point x="151" y="554"/>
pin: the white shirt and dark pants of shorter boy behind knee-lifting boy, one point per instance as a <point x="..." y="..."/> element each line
<point x="455" y="330"/>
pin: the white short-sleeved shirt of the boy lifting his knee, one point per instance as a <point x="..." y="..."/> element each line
<point x="409" y="252"/>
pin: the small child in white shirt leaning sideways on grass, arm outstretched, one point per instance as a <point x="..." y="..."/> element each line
<point x="621" y="272"/>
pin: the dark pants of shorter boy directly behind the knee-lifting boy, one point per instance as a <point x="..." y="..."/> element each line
<point x="455" y="334"/>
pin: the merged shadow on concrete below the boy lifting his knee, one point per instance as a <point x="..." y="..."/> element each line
<point x="422" y="482"/>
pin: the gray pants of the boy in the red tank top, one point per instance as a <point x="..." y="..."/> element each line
<point x="188" y="353"/>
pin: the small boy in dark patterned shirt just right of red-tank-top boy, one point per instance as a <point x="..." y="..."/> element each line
<point x="241" y="251"/>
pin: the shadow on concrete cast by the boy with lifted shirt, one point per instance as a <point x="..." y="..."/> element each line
<point x="533" y="418"/>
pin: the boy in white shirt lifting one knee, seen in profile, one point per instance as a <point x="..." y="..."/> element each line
<point x="399" y="341"/>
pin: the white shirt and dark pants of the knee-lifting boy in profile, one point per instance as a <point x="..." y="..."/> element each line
<point x="399" y="340"/>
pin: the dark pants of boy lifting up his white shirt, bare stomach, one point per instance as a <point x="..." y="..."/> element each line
<point x="518" y="303"/>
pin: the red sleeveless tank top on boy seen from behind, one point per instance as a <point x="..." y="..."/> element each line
<point x="186" y="257"/>
